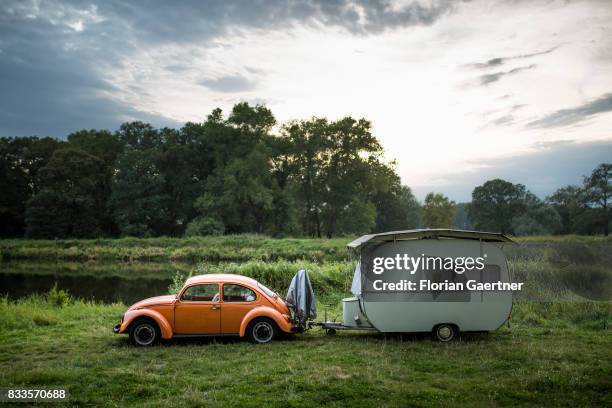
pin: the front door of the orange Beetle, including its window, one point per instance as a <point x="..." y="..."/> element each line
<point x="198" y="310"/>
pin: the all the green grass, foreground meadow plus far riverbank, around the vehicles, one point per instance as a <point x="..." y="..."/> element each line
<point x="556" y="352"/>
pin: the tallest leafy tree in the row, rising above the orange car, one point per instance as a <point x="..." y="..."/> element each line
<point x="241" y="191"/>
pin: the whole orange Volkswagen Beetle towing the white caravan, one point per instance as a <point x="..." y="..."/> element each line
<point x="209" y="305"/>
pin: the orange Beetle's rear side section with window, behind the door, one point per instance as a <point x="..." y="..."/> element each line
<point x="238" y="300"/>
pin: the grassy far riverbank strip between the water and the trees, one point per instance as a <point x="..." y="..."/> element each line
<point x="229" y="248"/>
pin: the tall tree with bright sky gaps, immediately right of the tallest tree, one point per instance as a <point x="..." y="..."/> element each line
<point x="331" y="163"/>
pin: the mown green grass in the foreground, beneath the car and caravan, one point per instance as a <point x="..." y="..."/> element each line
<point x="555" y="354"/>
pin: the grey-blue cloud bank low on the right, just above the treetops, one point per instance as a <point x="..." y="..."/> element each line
<point x="551" y="166"/>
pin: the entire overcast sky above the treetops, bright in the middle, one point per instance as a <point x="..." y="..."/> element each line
<point x="458" y="92"/>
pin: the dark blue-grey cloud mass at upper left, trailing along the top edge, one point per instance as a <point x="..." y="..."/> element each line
<point x="53" y="54"/>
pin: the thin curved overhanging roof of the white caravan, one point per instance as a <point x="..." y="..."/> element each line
<point x="428" y="233"/>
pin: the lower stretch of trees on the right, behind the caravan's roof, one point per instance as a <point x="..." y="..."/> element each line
<point x="501" y="206"/>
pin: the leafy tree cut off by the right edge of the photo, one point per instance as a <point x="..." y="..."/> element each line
<point x="598" y="188"/>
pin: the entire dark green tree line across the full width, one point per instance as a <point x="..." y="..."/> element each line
<point x="233" y="174"/>
